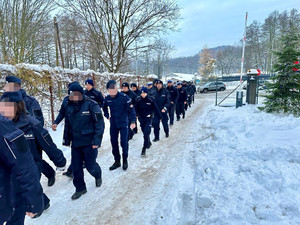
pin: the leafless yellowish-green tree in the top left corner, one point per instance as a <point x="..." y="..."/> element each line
<point x="21" y="23"/>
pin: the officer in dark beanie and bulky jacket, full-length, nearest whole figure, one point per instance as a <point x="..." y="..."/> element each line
<point x="84" y="127"/>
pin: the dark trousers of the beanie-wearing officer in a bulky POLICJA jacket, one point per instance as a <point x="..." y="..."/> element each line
<point x="88" y="155"/>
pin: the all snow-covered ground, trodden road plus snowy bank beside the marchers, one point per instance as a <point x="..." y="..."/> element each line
<point x="219" y="166"/>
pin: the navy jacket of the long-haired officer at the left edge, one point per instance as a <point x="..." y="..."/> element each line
<point x="39" y="140"/>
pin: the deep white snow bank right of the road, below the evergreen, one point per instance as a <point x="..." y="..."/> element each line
<point x="249" y="166"/>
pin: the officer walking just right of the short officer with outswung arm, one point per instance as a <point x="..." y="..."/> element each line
<point x="162" y="99"/>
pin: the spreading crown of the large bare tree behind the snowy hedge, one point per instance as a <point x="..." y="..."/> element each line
<point x="114" y="26"/>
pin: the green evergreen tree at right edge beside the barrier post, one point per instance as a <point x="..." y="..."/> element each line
<point x="284" y="95"/>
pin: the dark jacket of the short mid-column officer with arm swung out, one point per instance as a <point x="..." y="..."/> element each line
<point x="145" y="107"/>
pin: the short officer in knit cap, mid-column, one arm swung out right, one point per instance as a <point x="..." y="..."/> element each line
<point x="145" y="107"/>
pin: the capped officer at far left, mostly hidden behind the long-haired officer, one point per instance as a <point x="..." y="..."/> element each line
<point x="13" y="84"/>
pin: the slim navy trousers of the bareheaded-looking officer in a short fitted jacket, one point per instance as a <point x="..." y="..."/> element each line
<point x="114" y="136"/>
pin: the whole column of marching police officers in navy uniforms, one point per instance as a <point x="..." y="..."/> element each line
<point x="23" y="138"/>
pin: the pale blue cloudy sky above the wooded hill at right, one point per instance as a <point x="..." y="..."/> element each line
<point x="219" y="22"/>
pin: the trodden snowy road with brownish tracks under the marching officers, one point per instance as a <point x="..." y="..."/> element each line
<point x="157" y="189"/>
